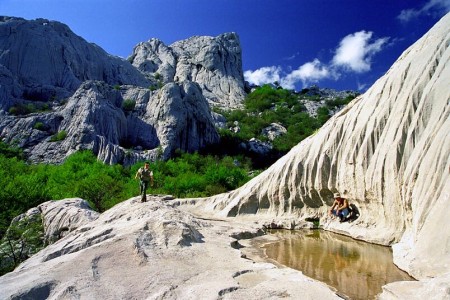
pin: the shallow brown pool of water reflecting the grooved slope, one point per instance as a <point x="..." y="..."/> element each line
<point x="356" y="269"/>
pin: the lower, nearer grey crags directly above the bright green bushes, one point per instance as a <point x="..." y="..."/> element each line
<point x="177" y="116"/>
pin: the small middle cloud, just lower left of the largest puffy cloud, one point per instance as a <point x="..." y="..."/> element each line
<point x="307" y="73"/>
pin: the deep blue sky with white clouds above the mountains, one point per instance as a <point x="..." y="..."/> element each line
<point x="340" y="44"/>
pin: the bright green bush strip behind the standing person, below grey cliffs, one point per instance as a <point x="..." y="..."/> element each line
<point x="81" y="175"/>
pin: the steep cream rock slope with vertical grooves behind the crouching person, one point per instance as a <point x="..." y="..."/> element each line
<point x="387" y="152"/>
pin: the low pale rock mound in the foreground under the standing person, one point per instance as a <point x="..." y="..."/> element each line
<point x="154" y="251"/>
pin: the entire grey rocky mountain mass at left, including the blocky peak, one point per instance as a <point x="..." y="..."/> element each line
<point x="60" y="94"/>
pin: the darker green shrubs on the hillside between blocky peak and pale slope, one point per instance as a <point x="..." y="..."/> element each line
<point x="266" y="105"/>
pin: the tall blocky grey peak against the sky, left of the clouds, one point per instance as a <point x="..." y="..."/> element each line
<point x="214" y="63"/>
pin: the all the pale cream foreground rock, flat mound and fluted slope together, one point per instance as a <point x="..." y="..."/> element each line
<point x="388" y="152"/>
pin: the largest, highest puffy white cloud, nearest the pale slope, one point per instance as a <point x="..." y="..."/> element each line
<point x="356" y="50"/>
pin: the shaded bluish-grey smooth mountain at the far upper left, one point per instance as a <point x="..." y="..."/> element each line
<point x="42" y="60"/>
